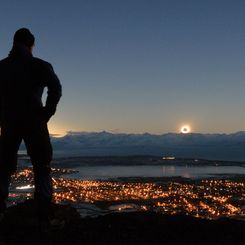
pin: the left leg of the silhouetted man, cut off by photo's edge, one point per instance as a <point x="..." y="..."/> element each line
<point x="10" y="140"/>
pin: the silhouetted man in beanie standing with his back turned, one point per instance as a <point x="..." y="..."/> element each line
<point x="23" y="117"/>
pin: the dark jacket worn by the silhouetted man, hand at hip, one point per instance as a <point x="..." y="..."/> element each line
<point x="22" y="82"/>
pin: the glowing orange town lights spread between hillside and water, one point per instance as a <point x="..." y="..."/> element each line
<point x="204" y="198"/>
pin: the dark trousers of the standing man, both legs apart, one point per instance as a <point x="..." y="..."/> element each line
<point x="37" y="141"/>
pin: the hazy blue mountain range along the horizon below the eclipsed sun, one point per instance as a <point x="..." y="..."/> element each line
<point x="192" y="145"/>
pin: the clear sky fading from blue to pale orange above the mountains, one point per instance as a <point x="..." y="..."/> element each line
<point x="139" y="65"/>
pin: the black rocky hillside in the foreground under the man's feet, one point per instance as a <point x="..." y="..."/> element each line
<point x="20" y="227"/>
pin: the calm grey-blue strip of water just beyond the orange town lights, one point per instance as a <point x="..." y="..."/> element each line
<point x="105" y="172"/>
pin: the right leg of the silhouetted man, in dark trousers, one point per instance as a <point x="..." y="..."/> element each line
<point x="40" y="151"/>
